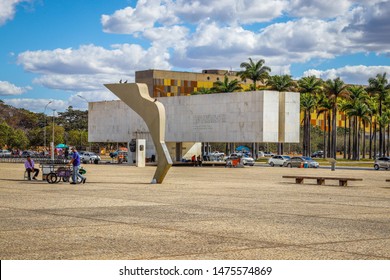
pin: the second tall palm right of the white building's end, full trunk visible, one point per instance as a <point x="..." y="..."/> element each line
<point x="335" y="89"/>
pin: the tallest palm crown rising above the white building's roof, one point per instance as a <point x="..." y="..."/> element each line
<point x="256" y="71"/>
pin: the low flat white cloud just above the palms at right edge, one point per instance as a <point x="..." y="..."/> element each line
<point x="358" y="74"/>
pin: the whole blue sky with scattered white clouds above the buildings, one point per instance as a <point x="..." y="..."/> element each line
<point x="64" y="50"/>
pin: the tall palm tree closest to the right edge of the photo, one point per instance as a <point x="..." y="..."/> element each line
<point x="380" y="87"/>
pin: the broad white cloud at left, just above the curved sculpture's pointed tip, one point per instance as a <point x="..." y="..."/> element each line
<point x="89" y="67"/>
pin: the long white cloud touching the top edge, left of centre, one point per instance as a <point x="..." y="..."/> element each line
<point x="149" y="13"/>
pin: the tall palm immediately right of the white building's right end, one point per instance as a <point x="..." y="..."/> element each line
<point x="308" y="85"/>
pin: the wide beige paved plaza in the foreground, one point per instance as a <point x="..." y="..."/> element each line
<point x="197" y="213"/>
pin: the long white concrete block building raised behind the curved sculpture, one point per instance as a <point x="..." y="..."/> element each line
<point x="260" y="116"/>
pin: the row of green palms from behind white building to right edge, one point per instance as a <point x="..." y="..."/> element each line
<point x="362" y="107"/>
